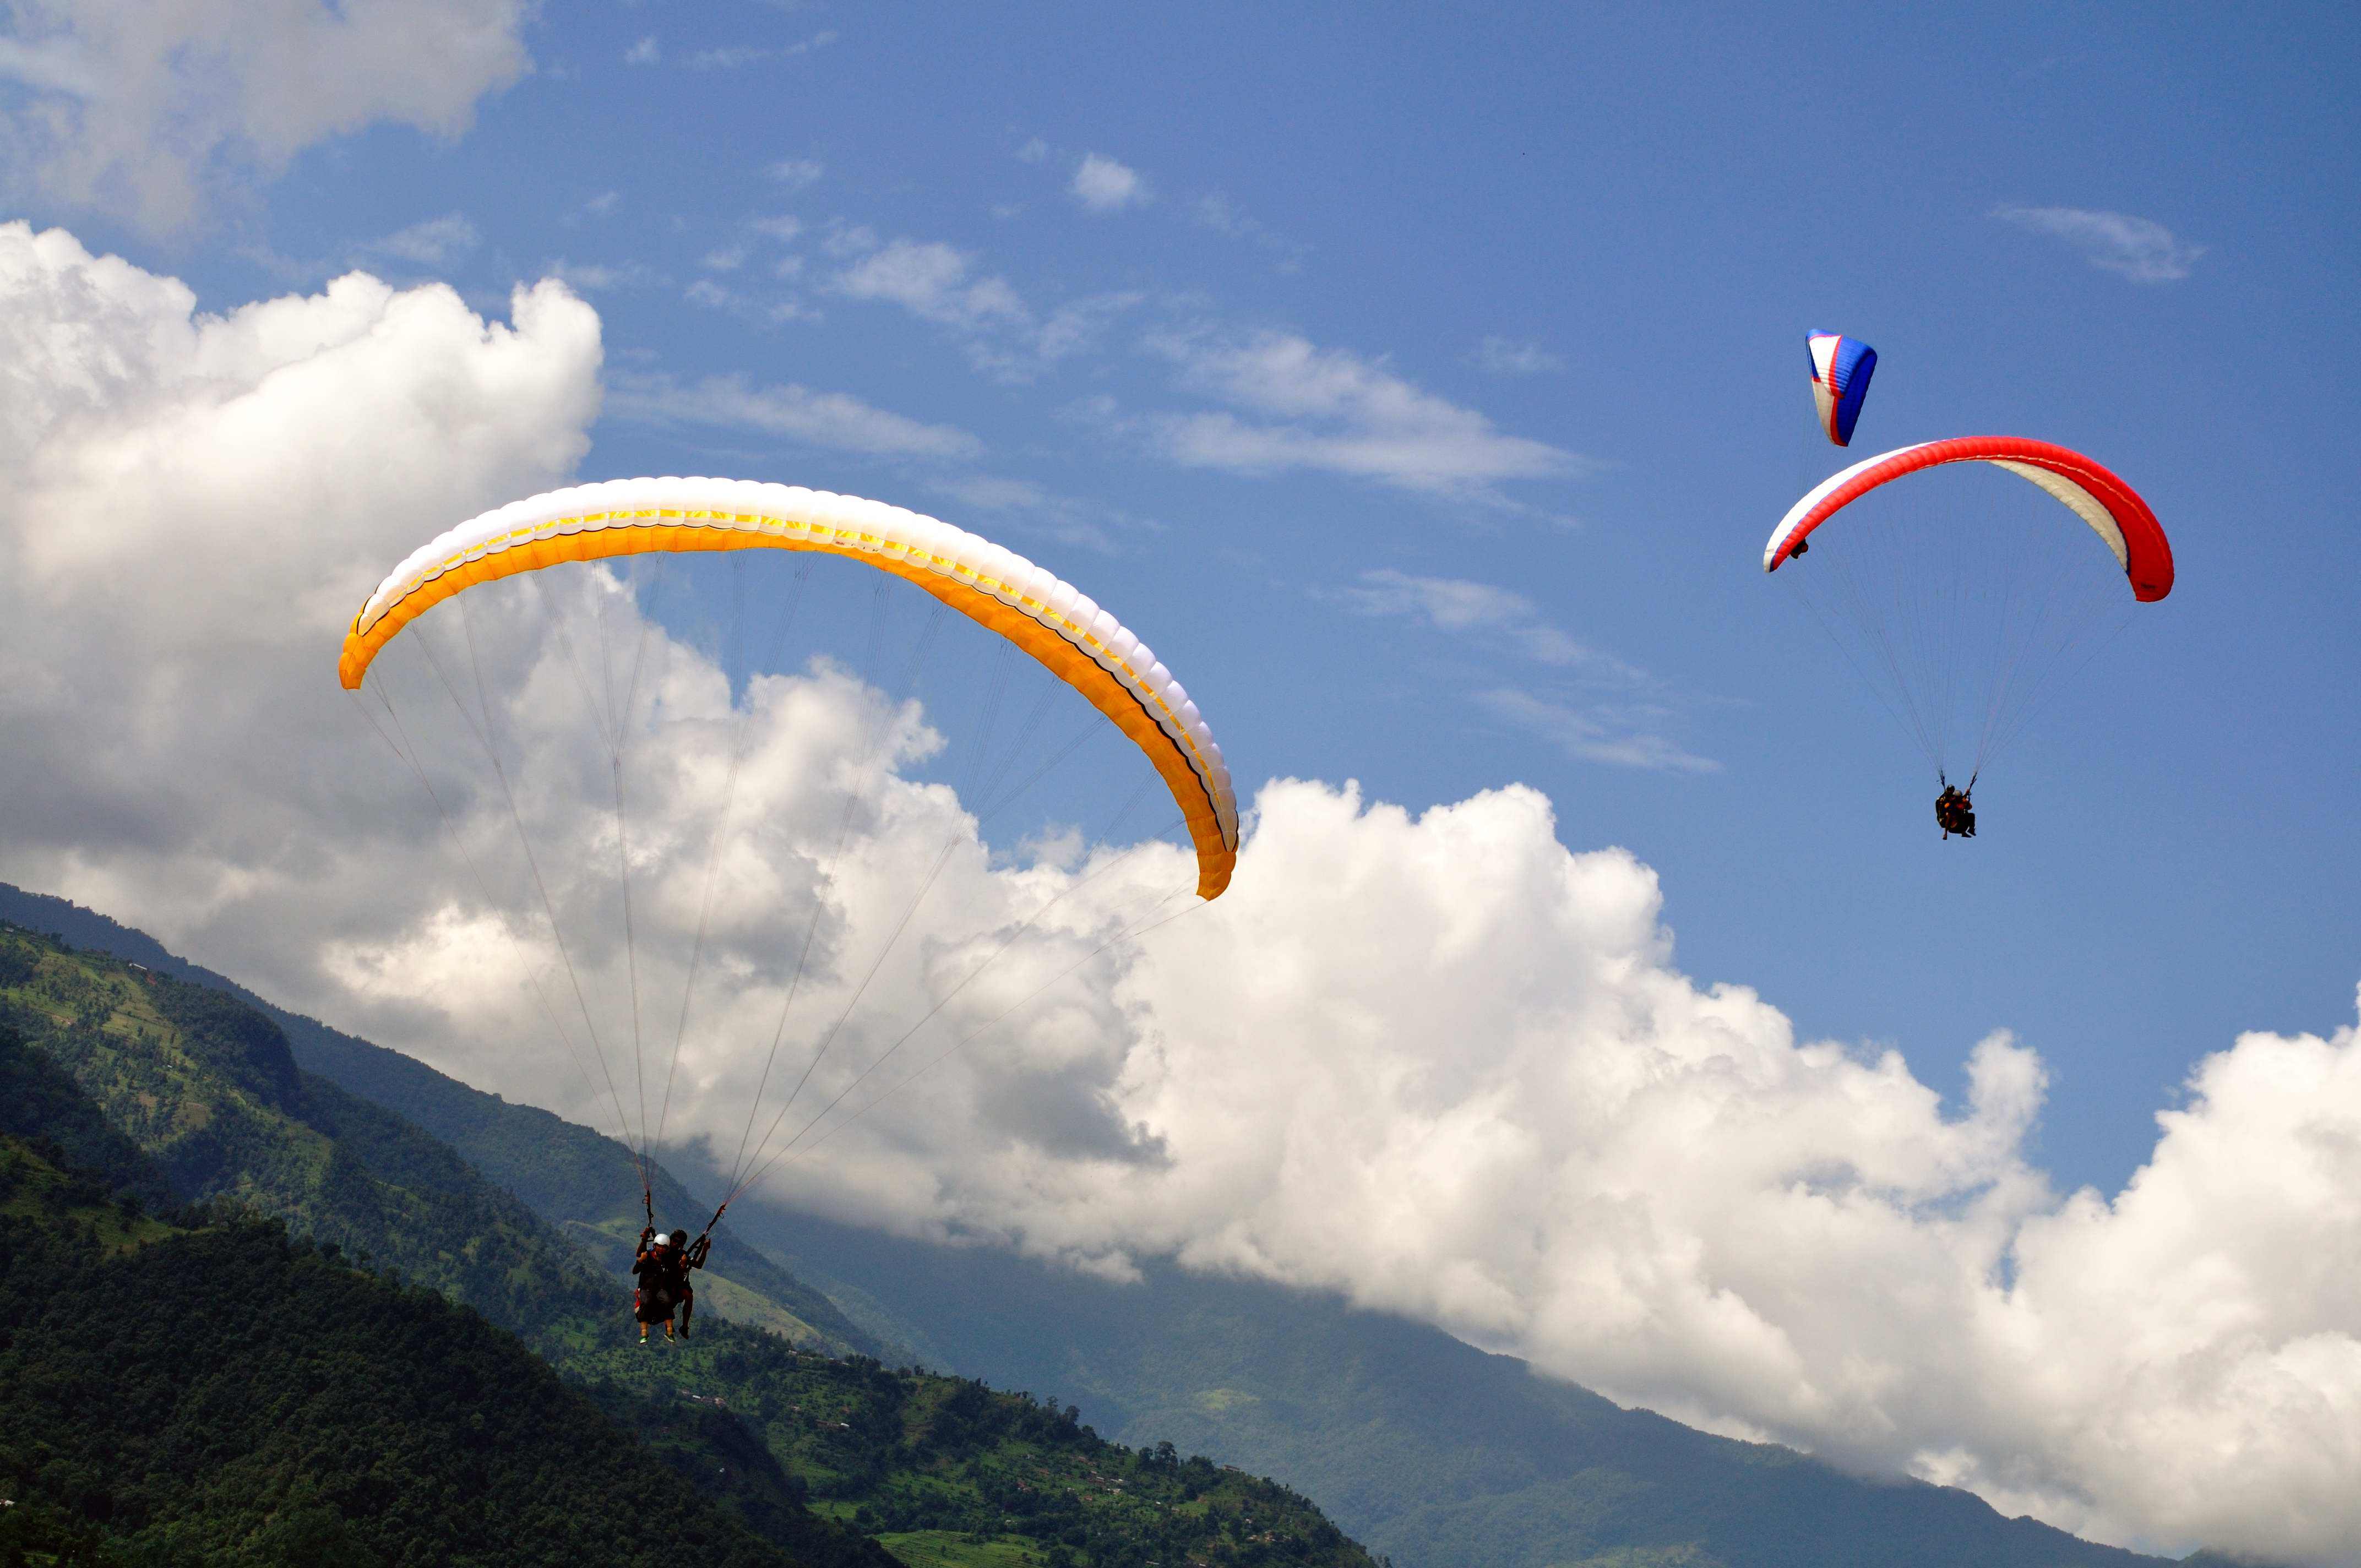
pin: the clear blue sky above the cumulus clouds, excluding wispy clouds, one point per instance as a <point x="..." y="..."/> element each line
<point x="1640" y="214"/>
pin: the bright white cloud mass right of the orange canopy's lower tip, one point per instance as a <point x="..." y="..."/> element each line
<point x="1505" y="1111"/>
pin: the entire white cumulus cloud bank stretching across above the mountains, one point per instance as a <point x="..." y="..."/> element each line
<point x="1434" y="1061"/>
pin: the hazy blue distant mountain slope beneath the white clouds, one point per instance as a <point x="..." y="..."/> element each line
<point x="1418" y="1444"/>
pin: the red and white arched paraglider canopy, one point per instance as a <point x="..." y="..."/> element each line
<point x="2091" y="492"/>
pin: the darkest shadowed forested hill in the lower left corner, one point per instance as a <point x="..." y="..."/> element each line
<point x="200" y="1390"/>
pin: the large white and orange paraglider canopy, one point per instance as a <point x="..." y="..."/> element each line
<point x="995" y="587"/>
